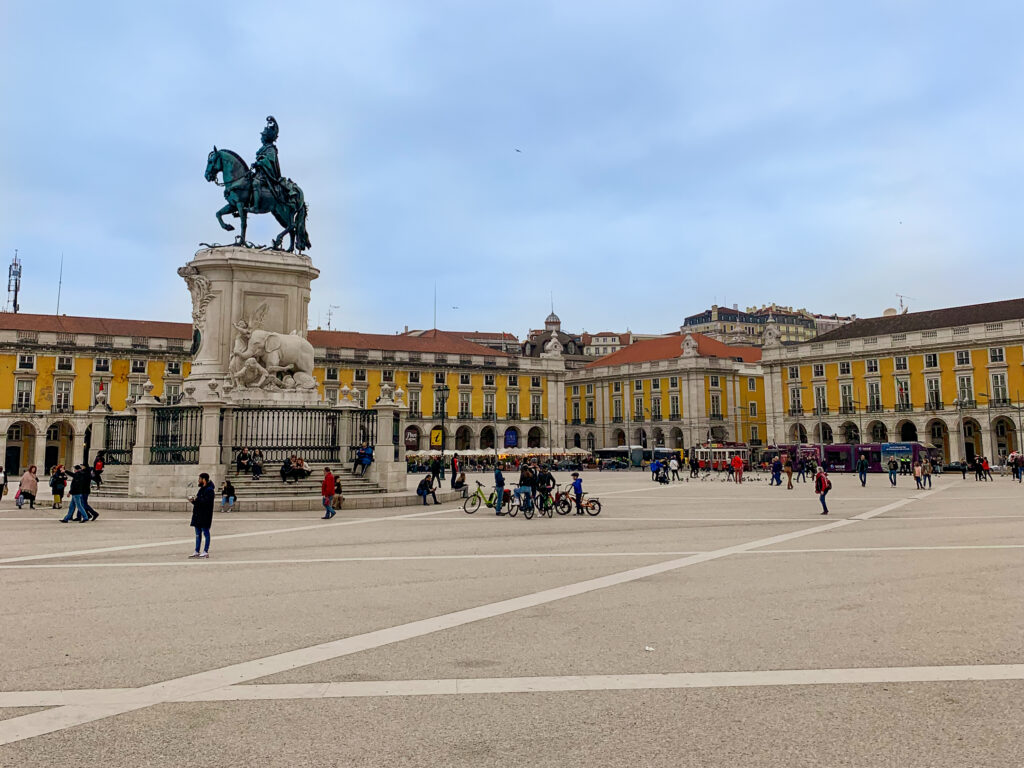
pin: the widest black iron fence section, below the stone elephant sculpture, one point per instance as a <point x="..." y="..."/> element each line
<point x="312" y="434"/>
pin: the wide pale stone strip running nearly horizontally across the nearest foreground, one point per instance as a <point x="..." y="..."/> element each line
<point x="550" y="685"/>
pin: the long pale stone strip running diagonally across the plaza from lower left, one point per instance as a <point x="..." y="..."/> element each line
<point x="49" y="721"/>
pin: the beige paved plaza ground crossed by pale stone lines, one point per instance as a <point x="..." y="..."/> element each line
<point x="697" y="625"/>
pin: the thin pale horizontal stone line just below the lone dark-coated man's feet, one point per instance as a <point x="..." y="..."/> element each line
<point x="496" y="557"/>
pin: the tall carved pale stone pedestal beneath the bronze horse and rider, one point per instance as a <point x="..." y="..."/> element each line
<point x="237" y="288"/>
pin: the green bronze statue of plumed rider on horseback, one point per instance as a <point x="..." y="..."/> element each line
<point x="261" y="190"/>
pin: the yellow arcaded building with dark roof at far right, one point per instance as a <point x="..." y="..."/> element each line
<point x="952" y="378"/>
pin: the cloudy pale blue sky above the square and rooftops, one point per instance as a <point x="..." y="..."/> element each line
<point x="673" y="154"/>
